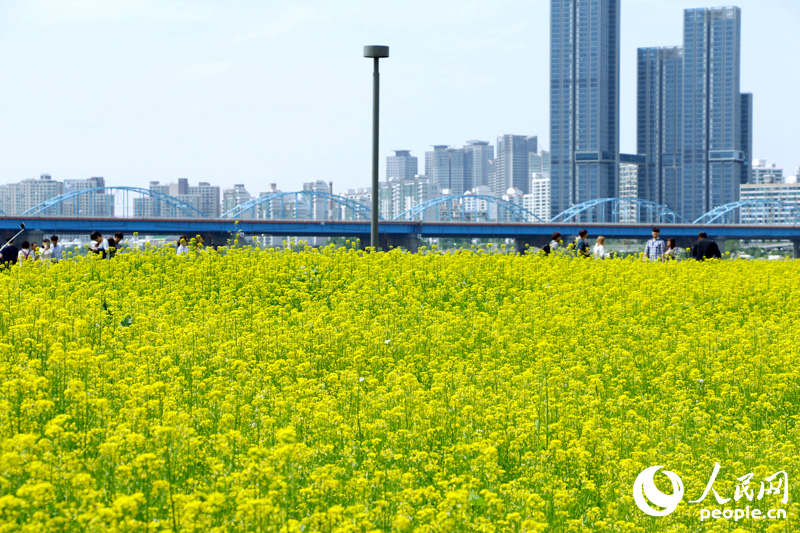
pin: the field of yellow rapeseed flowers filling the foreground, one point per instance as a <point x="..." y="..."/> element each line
<point x="342" y="390"/>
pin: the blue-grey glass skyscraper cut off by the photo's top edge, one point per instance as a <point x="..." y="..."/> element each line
<point x="584" y="101"/>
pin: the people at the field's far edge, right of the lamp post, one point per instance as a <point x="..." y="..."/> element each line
<point x="656" y="249"/>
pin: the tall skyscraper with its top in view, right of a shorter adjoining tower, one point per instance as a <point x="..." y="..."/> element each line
<point x="713" y="155"/>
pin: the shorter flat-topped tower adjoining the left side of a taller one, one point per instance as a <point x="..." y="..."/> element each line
<point x="658" y="132"/>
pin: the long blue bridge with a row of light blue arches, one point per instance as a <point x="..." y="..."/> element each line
<point x="314" y="213"/>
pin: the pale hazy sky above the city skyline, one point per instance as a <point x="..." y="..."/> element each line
<point x="257" y="91"/>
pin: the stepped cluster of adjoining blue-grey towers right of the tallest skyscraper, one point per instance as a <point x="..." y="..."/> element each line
<point x="694" y="127"/>
